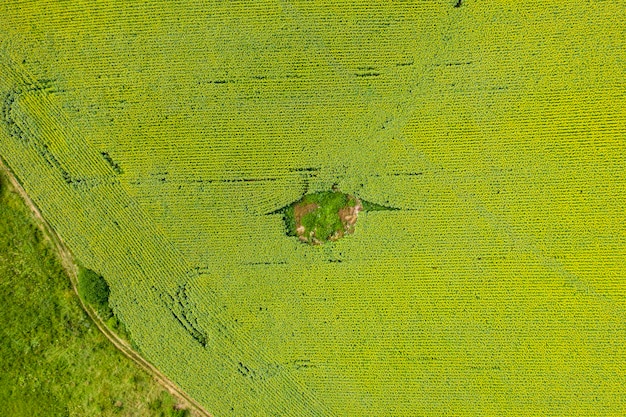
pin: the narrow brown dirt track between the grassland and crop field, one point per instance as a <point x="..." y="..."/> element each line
<point x="67" y="260"/>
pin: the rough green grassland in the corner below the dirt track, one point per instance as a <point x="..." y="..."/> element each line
<point x="53" y="359"/>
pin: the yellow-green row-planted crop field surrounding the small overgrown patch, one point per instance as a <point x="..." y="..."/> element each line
<point x="159" y="139"/>
